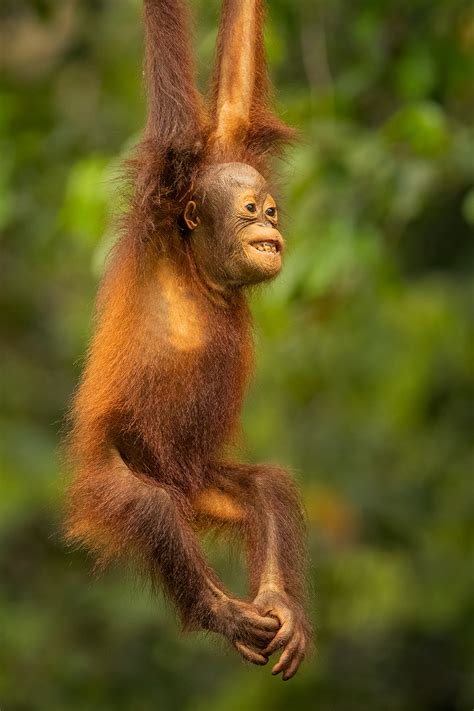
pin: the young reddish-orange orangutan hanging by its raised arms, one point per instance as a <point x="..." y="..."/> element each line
<point x="162" y="390"/>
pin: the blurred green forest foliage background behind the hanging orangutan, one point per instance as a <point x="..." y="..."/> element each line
<point x="365" y="375"/>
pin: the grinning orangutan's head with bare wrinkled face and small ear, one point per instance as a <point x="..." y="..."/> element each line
<point x="232" y="226"/>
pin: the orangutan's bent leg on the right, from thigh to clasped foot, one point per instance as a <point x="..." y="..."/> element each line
<point x="260" y="502"/>
